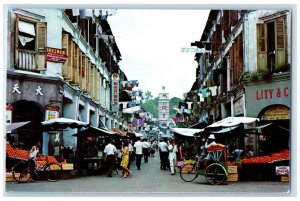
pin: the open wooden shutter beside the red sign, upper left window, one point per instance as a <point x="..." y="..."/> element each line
<point x="41" y="45"/>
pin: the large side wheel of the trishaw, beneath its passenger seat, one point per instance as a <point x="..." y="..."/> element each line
<point x="215" y="174"/>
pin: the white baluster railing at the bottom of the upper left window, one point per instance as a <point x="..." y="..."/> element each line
<point x="26" y="60"/>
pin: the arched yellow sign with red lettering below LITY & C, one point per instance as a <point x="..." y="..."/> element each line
<point x="276" y="113"/>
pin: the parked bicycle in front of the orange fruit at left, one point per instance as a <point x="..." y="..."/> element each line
<point x="22" y="174"/>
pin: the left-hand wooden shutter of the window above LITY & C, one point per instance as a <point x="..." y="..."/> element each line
<point x="261" y="47"/>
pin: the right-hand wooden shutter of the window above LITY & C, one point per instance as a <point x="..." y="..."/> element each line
<point x="280" y="47"/>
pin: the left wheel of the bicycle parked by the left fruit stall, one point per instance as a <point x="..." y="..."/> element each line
<point x="21" y="172"/>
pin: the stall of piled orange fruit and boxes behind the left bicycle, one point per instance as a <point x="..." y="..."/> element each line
<point x="14" y="155"/>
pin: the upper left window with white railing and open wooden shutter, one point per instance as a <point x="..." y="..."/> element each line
<point x="30" y="44"/>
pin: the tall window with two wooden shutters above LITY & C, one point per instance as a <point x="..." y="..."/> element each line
<point x="271" y="45"/>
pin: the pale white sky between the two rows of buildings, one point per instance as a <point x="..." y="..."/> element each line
<point x="150" y="42"/>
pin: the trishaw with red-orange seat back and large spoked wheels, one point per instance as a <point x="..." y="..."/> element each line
<point x="214" y="170"/>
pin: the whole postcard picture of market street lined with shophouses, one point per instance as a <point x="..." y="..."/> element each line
<point x="156" y="101"/>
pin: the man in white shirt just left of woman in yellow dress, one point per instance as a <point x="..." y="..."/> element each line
<point x="110" y="154"/>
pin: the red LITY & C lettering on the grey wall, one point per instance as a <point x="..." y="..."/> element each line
<point x="265" y="94"/>
